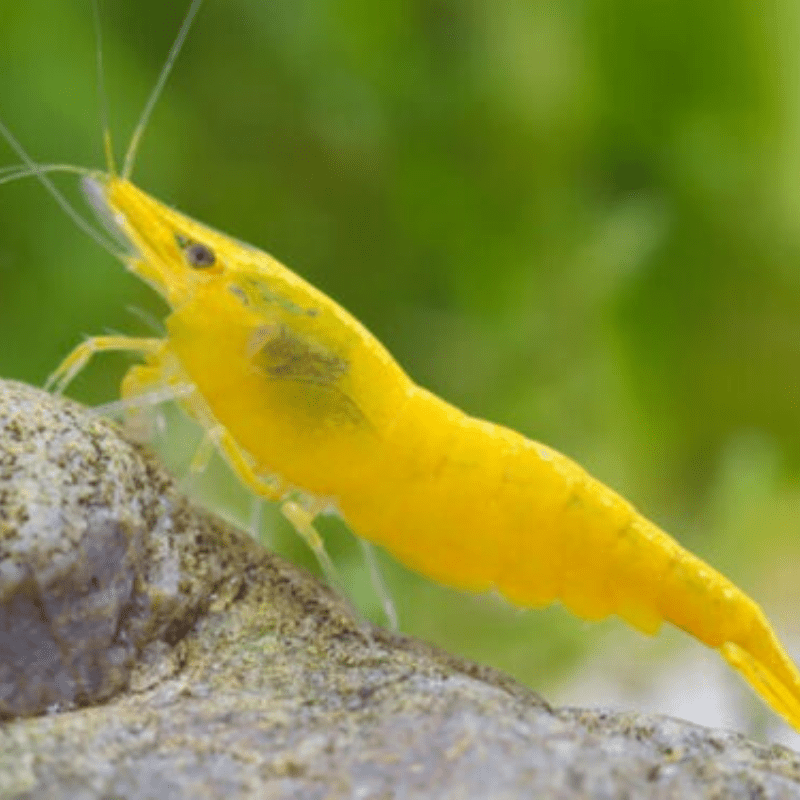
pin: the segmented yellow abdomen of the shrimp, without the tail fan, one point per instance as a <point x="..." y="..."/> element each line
<point x="478" y="506"/>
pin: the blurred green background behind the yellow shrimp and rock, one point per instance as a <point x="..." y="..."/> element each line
<point x="579" y="219"/>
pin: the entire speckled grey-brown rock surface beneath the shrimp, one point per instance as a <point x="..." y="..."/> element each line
<point x="149" y="650"/>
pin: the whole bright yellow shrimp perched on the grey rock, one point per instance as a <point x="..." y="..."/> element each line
<point x="313" y="412"/>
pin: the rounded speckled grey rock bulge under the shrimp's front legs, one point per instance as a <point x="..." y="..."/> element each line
<point x="99" y="555"/>
